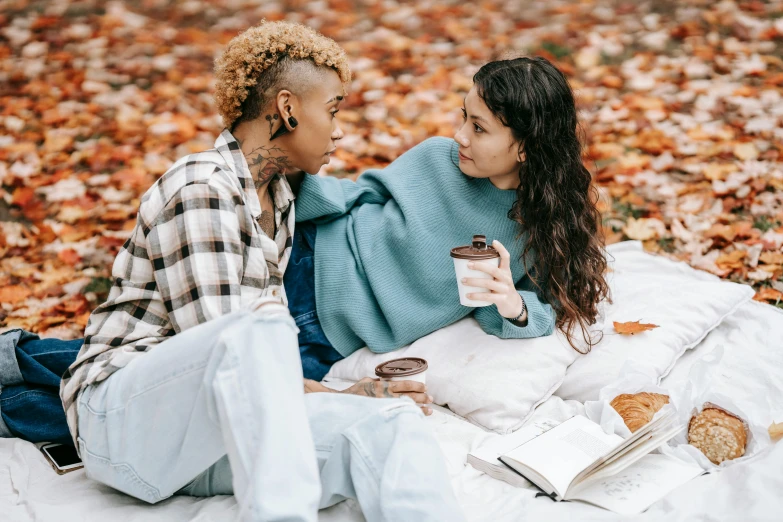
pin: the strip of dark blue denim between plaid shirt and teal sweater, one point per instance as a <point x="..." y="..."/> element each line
<point x="317" y="353"/>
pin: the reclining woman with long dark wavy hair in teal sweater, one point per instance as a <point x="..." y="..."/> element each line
<point x="380" y="275"/>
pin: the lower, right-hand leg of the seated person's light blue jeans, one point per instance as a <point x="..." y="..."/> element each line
<point x="379" y="451"/>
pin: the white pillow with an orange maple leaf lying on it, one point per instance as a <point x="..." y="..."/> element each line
<point x="684" y="302"/>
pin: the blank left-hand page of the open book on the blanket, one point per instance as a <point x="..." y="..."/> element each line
<point x="561" y="453"/>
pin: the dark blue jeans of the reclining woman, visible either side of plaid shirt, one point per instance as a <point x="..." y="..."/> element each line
<point x="32" y="409"/>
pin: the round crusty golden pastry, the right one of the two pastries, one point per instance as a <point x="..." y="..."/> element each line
<point x="718" y="434"/>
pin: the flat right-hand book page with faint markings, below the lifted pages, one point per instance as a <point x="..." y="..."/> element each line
<point x="638" y="486"/>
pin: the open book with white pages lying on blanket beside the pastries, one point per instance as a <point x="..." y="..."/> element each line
<point x="576" y="460"/>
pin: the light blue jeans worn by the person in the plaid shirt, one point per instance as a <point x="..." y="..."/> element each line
<point x="220" y="409"/>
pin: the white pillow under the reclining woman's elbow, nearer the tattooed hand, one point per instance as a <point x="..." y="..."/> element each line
<point x="494" y="383"/>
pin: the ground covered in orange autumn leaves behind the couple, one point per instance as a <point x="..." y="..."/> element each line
<point x="680" y="101"/>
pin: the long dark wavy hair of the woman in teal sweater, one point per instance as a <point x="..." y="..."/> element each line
<point x="556" y="201"/>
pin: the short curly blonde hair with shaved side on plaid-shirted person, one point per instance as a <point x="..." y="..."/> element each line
<point x="260" y="61"/>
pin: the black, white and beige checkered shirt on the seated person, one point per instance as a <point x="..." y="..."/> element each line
<point x="197" y="252"/>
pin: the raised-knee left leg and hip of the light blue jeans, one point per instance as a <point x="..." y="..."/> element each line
<point x="231" y="386"/>
